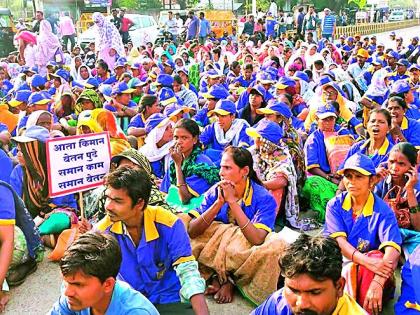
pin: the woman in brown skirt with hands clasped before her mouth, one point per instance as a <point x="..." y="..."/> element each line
<point x="229" y="231"/>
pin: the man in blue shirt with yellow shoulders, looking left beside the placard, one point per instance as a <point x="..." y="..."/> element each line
<point x="157" y="257"/>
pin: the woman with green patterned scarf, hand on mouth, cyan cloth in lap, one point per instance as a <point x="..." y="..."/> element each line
<point x="191" y="173"/>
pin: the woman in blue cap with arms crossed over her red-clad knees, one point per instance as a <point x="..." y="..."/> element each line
<point x="367" y="232"/>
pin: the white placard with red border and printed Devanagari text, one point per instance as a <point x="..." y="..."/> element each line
<point x="77" y="163"/>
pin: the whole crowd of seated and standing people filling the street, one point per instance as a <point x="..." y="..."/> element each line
<point x="225" y="151"/>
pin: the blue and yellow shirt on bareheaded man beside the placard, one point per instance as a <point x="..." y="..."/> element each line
<point x="149" y="266"/>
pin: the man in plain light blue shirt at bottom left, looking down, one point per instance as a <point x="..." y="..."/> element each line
<point x="89" y="268"/>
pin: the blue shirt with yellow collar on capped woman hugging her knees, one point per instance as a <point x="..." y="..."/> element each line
<point x="374" y="229"/>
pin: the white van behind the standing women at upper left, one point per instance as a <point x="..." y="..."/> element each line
<point x="144" y="30"/>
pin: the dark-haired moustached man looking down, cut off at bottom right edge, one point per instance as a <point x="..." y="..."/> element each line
<point x="313" y="283"/>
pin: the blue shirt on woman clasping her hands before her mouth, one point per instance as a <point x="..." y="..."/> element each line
<point x="257" y="204"/>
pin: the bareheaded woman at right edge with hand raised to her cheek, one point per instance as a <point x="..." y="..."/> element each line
<point x="401" y="180"/>
